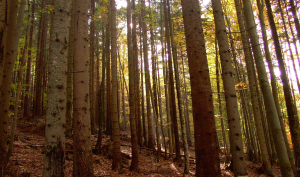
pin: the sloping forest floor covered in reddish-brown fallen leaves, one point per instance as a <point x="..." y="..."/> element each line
<point x="27" y="157"/>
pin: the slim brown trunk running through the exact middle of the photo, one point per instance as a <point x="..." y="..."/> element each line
<point x="147" y="78"/>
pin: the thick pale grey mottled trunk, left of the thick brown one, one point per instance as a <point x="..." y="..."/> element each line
<point x="54" y="161"/>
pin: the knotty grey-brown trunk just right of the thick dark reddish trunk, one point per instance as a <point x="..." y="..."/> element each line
<point x="236" y="143"/>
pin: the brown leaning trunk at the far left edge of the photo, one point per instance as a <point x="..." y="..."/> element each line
<point x="10" y="51"/>
